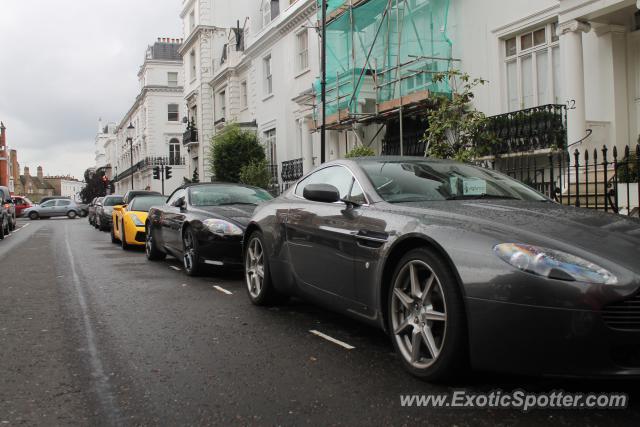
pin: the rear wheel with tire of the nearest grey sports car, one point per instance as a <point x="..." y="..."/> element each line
<point x="257" y="277"/>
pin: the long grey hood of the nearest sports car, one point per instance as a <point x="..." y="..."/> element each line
<point x="610" y="236"/>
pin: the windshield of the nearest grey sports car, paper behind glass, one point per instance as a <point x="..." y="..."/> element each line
<point x="423" y="180"/>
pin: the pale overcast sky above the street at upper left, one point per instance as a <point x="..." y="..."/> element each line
<point x="66" y="63"/>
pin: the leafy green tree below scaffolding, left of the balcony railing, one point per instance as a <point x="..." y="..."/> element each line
<point x="456" y="129"/>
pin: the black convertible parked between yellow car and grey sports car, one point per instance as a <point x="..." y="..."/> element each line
<point x="202" y="224"/>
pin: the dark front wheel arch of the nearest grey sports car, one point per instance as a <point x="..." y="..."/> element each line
<point x="394" y="256"/>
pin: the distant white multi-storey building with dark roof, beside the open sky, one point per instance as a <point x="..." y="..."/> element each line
<point x="156" y="117"/>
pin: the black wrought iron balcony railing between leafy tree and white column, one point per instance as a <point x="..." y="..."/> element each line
<point x="529" y="130"/>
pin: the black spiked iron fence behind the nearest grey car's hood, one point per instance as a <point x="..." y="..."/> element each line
<point x="602" y="179"/>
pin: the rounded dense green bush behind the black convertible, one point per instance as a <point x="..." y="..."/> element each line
<point x="231" y="150"/>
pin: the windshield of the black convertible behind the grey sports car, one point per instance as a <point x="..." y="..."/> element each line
<point x="218" y="195"/>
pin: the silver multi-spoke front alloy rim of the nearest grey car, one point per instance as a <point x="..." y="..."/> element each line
<point x="419" y="314"/>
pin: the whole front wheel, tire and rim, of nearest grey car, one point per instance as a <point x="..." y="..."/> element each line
<point x="426" y="317"/>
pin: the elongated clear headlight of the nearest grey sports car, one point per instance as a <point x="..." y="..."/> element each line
<point x="553" y="264"/>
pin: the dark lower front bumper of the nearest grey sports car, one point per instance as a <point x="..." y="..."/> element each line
<point x="535" y="340"/>
